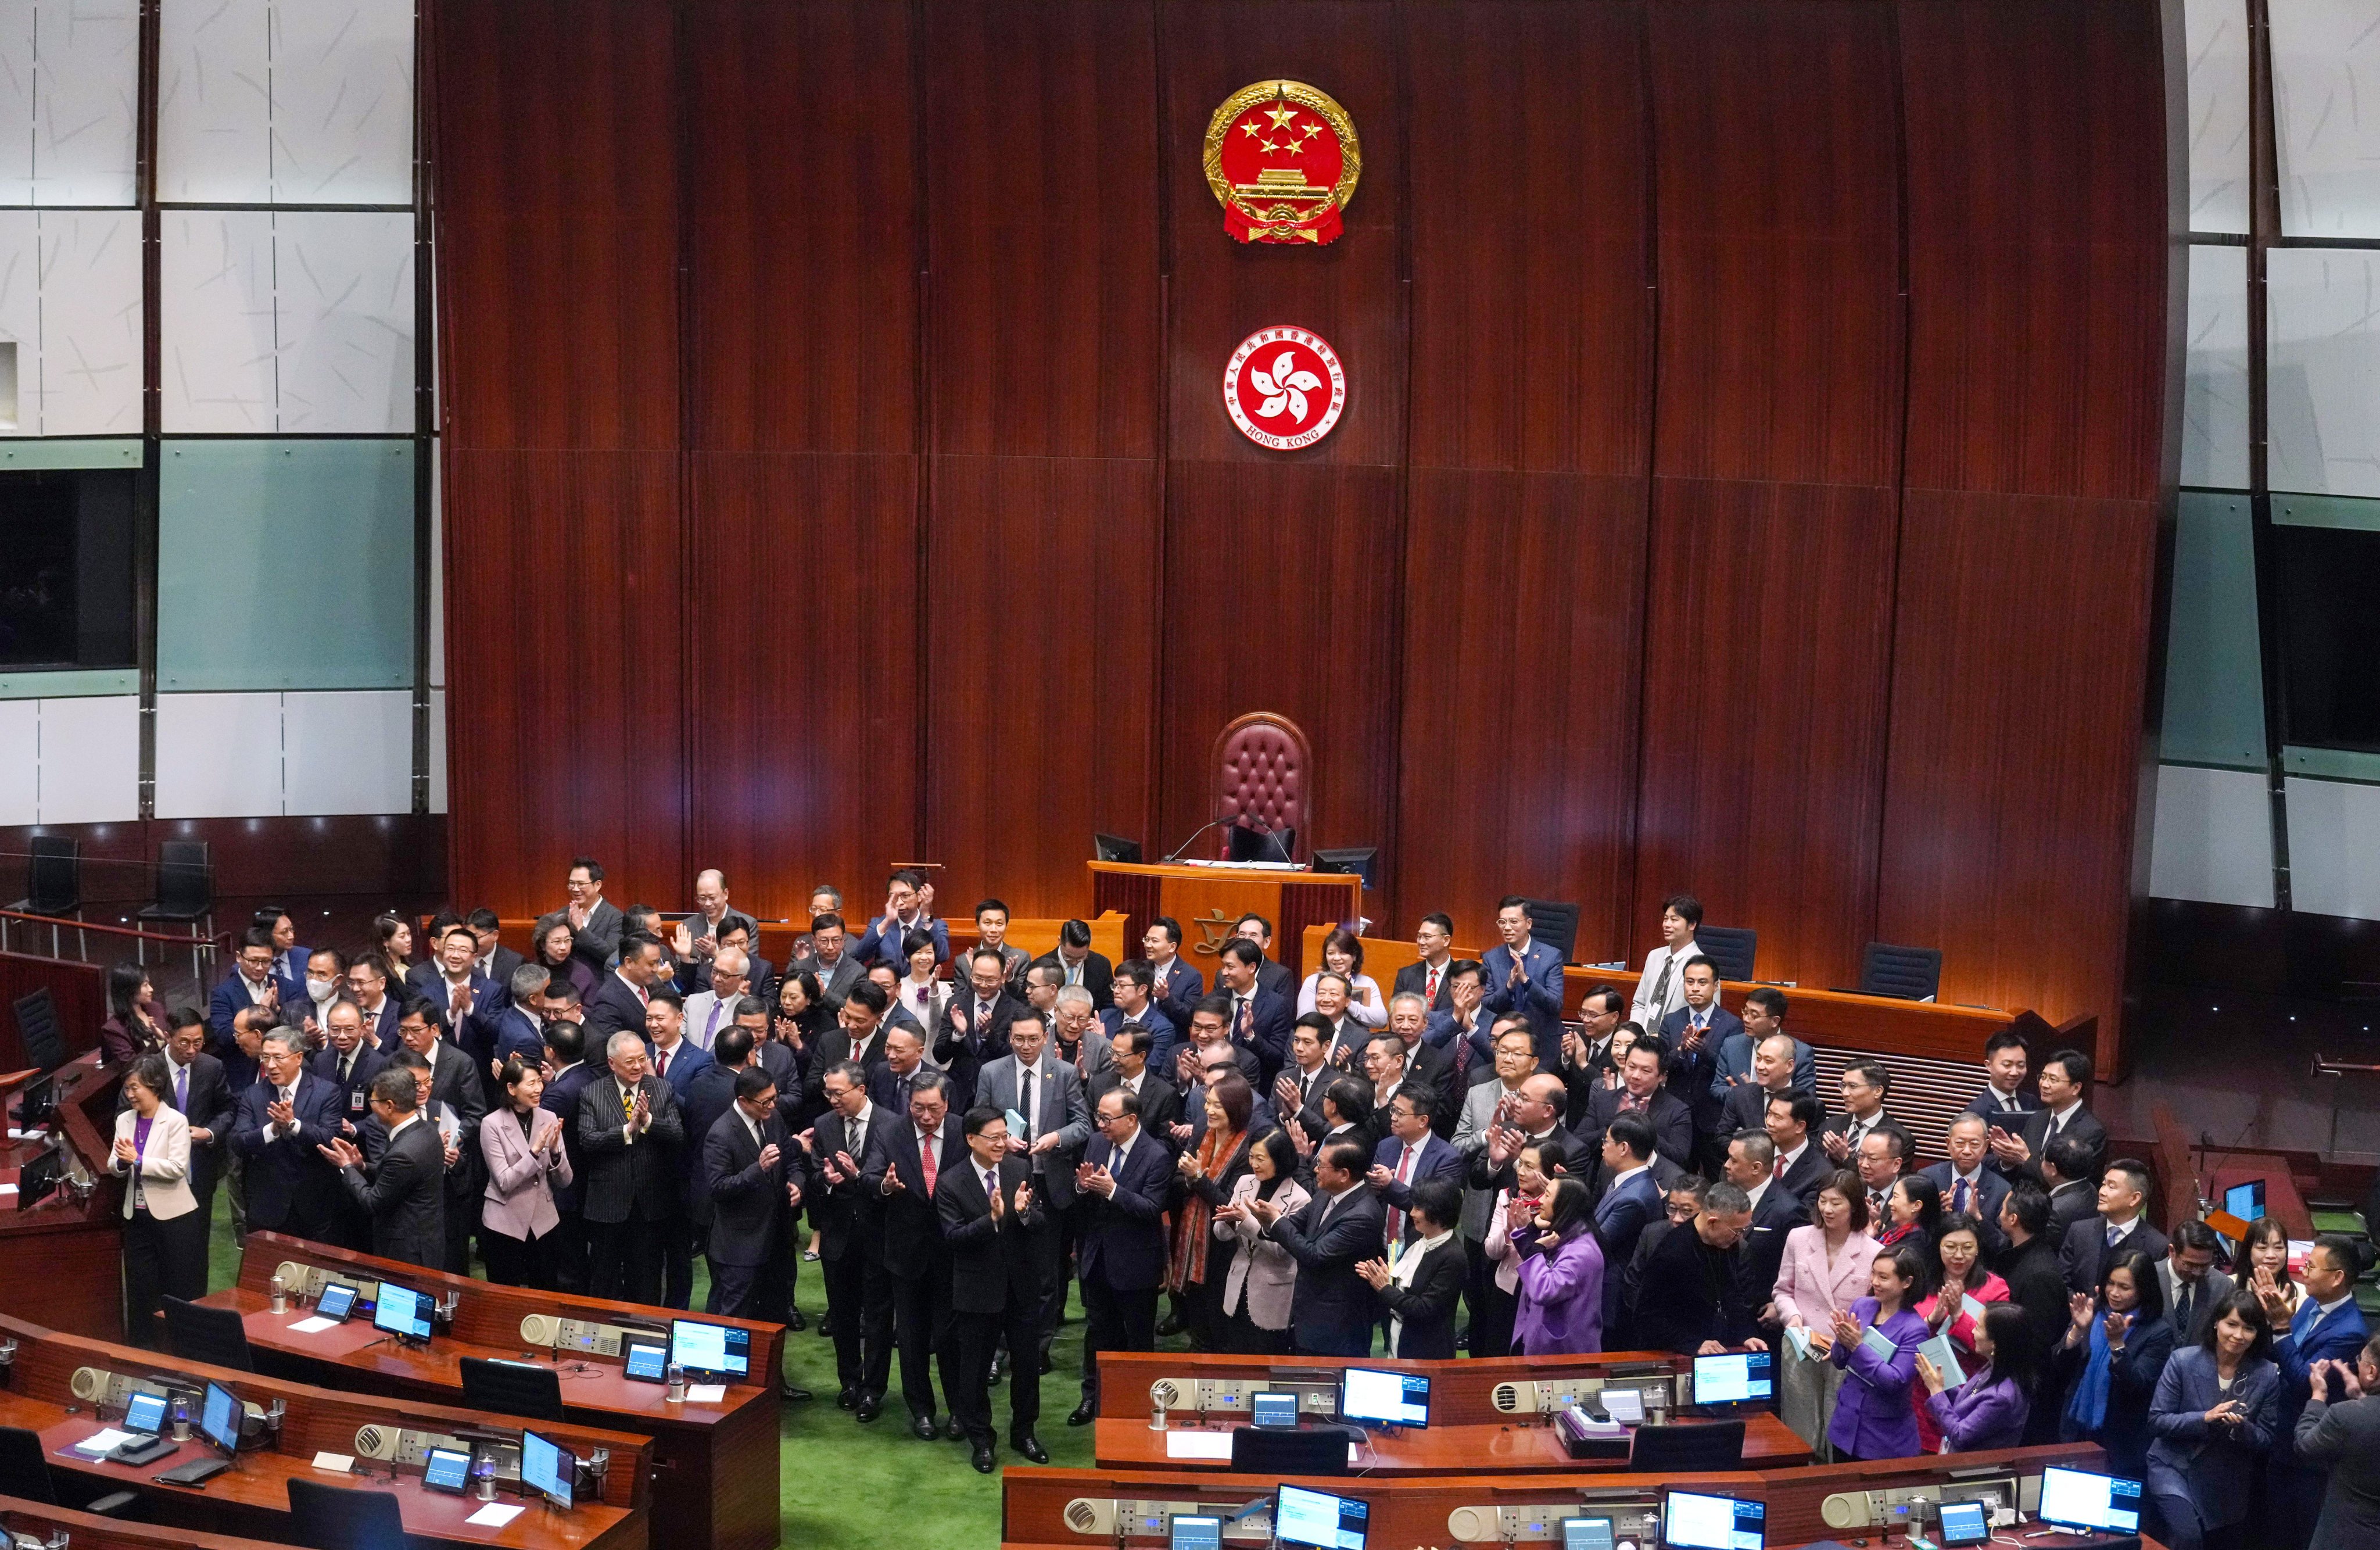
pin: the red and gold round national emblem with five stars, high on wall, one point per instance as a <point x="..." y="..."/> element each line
<point x="1284" y="161"/>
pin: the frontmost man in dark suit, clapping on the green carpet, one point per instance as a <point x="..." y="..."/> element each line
<point x="994" y="1220"/>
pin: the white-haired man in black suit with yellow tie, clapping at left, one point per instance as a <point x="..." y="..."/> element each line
<point x="630" y="1132"/>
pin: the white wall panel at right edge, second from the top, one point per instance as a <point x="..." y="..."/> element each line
<point x="2324" y="370"/>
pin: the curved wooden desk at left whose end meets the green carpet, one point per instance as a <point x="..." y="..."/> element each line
<point x="718" y="1463"/>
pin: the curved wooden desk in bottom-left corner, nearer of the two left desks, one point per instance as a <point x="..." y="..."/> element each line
<point x="253" y="1499"/>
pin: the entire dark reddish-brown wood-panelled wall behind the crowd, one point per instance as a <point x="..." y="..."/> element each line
<point x="1753" y="480"/>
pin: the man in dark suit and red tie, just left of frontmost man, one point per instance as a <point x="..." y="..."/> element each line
<point x="906" y="1168"/>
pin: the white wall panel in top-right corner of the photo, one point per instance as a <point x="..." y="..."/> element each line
<point x="2326" y="115"/>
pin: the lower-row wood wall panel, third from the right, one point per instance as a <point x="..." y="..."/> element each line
<point x="1522" y="658"/>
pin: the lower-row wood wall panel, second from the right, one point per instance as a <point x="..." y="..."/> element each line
<point x="1765" y="715"/>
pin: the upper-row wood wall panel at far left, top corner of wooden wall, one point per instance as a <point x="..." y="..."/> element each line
<point x="558" y="223"/>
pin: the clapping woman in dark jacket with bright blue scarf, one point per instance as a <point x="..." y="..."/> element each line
<point x="2110" y="1363"/>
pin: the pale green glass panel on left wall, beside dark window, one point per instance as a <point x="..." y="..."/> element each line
<point x="287" y="565"/>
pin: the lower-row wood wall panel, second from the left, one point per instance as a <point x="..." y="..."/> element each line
<point x="803" y="723"/>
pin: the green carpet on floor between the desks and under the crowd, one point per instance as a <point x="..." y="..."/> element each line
<point x="837" y="1477"/>
